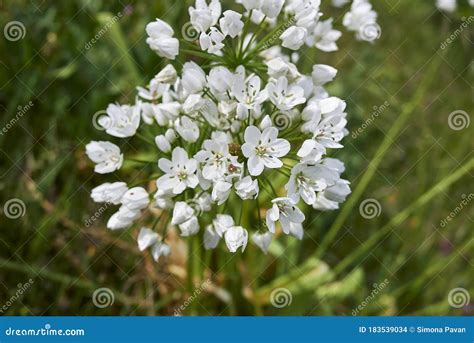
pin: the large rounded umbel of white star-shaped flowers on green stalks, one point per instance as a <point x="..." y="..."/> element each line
<point x="231" y="122"/>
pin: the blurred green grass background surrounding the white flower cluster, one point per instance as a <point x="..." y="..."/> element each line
<point x="420" y="171"/>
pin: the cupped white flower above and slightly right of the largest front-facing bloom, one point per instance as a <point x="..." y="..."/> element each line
<point x="283" y="96"/>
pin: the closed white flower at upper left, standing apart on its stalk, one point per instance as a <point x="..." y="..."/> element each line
<point x="161" y="39"/>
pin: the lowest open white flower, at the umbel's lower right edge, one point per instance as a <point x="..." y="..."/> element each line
<point x="285" y="211"/>
